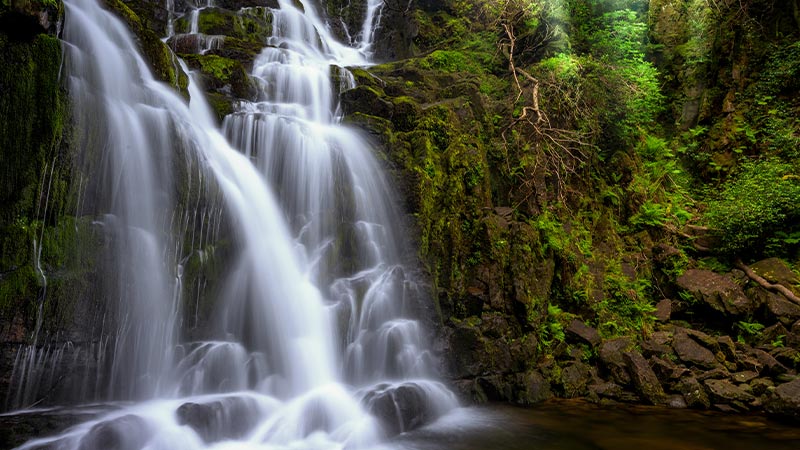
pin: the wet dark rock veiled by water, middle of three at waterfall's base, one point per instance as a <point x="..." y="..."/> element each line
<point x="227" y="418"/>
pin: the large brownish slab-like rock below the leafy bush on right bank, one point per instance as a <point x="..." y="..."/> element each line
<point x="717" y="291"/>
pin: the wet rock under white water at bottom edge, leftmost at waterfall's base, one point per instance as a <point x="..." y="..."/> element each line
<point x="123" y="433"/>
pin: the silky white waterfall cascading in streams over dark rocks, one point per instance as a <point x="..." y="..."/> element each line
<point x="314" y="343"/>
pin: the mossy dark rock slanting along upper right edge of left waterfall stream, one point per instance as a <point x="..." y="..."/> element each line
<point x="161" y="60"/>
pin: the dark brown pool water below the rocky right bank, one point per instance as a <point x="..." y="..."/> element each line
<point x="573" y="425"/>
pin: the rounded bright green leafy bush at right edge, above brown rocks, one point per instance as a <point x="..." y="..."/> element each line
<point x="762" y="200"/>
